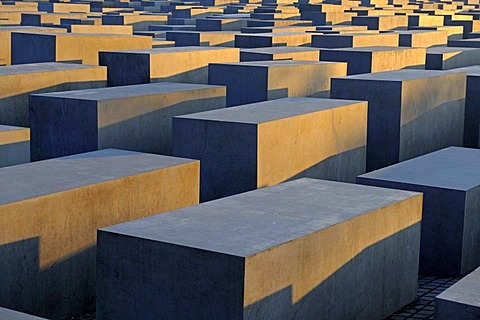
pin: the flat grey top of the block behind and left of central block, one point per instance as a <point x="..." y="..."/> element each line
<point x="112" y="93"/>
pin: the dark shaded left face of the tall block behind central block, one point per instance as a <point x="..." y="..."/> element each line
<point x="384" y="109"/>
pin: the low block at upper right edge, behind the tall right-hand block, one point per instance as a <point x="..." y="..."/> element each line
<point x="445" y="58"/>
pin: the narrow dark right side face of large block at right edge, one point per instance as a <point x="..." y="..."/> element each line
<point x="471" y="232"/>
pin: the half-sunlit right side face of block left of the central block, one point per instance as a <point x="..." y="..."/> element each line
<point x="145" y="123"/>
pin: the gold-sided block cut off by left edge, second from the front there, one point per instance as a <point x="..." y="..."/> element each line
<point x="20" y="80"/>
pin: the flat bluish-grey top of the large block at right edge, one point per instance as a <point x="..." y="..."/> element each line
<point x="451" y="168"/>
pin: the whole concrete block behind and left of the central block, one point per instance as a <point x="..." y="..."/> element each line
<point x="137" y="118"/>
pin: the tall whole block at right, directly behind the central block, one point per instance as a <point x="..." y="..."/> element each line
<point x="410" y="112"/>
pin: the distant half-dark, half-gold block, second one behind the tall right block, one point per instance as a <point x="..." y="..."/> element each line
<point x="355" y="40"/>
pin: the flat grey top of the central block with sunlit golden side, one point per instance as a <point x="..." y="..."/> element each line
<point x="272" y="110"/>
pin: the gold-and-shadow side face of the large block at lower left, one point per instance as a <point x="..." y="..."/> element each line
<point x="48" y="242"/>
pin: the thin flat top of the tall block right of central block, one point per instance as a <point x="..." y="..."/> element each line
<point x="399" y="75"/>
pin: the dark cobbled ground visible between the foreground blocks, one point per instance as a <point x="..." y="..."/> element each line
<point x="422" y="308"/>
